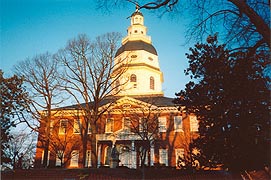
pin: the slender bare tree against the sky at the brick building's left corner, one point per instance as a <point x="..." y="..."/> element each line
<point x="40" y="75"/>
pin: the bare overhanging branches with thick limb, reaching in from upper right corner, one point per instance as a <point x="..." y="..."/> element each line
<point x="246" y="23"/>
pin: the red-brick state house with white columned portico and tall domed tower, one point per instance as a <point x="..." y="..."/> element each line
<point x="169" y="130"/>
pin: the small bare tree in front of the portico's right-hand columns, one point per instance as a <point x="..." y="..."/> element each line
<point x="144" y="123"/>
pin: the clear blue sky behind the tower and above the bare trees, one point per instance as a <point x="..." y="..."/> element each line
<point x="31" y="27"/>
